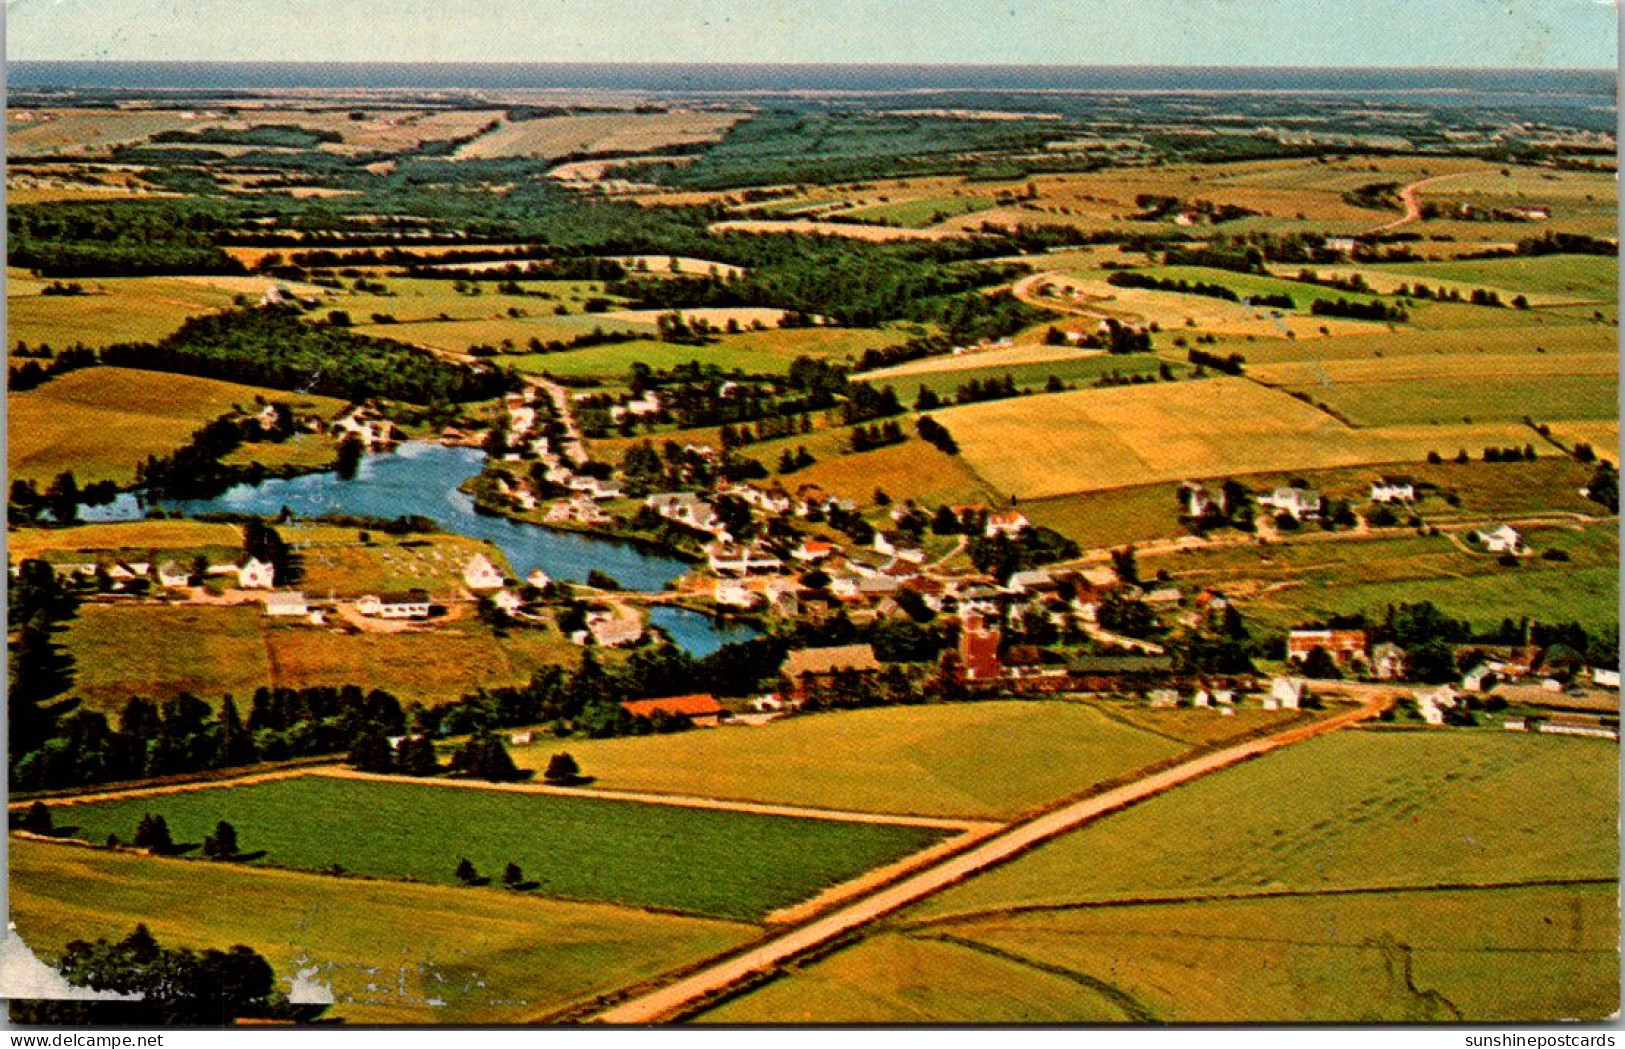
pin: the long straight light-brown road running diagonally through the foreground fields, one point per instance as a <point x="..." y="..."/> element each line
<point x="670" y="1001"/>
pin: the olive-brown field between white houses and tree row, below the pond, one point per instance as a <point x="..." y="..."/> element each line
<point x="131" y="650"/>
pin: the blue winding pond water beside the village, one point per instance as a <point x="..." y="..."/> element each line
<point x="423" y="480"/>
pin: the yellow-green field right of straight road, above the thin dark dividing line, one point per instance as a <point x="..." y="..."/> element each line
<point x="1348" y="811"/>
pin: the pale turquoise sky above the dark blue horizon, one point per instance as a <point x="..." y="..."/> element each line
<point x="1312" y="33"/>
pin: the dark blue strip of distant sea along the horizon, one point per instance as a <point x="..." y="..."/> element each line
<point x="1473" y="87"/>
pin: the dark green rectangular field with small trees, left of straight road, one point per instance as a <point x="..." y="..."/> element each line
<point x="724" y="865"/>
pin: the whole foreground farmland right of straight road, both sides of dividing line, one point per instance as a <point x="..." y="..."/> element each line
<point x="1361" y="878"/>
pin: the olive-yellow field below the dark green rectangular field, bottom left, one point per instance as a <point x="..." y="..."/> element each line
<point x="391" y="952"/>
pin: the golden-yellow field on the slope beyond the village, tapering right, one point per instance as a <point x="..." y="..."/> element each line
<point x="1132" y="436"/>
